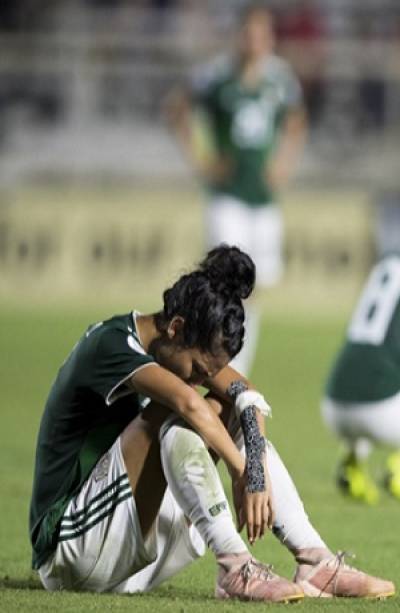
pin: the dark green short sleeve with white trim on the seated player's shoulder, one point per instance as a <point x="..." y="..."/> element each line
<point x="118" y="355"/>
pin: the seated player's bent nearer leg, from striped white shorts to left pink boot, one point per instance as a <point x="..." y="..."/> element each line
<point x="109" y="531"/>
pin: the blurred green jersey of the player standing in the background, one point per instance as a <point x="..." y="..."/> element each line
<point x="245" y="122"/>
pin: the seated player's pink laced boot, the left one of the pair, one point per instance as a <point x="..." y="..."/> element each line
<point x="243" y="577"/>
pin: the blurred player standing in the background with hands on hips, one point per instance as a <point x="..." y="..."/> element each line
<point x="252" y="104"/>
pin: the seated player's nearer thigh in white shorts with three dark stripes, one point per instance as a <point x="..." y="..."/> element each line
<point x="107" y="533"/>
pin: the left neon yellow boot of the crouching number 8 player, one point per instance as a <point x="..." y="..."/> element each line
<point x="353" y="480"/>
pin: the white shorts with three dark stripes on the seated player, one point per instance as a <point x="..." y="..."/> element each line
<point x="101" y="547"/>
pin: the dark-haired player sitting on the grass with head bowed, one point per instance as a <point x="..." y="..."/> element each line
<point x="126" y="492"/>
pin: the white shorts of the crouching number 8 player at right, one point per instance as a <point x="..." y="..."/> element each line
<point x="376" y="422"/>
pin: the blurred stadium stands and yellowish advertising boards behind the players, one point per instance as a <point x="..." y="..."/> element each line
<point x="95" y="195"/>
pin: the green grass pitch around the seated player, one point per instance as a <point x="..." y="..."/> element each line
<point x="294" y="355"/>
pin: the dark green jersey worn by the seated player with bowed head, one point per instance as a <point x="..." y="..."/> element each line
<point x="88" y="407"/>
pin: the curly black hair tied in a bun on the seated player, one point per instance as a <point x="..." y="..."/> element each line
<point x="209" y="299"/>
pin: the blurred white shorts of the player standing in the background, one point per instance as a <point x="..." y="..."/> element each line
<point x="256" y="230"/>
